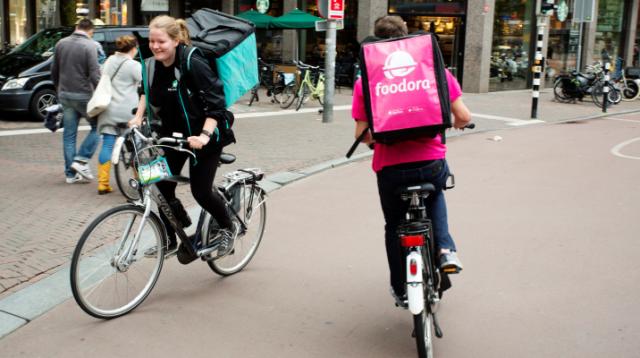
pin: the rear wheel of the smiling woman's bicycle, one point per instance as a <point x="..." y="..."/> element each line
<point x="249" y="202"/>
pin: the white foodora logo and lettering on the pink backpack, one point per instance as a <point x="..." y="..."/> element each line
<point x="400" y="64"/>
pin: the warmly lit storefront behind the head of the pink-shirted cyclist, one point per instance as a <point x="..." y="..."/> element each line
<point x="444" y="18"/>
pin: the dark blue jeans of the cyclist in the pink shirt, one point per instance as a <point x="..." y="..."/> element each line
<point x="394" y="210"/>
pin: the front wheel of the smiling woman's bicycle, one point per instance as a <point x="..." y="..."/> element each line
<point x="114" y="266"/>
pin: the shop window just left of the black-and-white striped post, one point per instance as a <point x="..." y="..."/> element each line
<point x="510" y="51"/>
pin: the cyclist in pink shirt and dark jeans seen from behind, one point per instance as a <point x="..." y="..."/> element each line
<point x="407" y="163"/>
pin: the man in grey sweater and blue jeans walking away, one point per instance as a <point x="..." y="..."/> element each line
<point x="75" y="72"/>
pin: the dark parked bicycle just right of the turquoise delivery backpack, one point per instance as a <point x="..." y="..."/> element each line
<point x="281" y="90"/>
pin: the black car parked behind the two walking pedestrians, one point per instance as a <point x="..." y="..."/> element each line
<point x="25" y="72"/>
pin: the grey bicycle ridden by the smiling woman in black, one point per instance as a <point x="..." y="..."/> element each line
<point x="119" y="256"/>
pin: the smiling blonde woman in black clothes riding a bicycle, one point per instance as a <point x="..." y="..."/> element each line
<point x="189" y="100"/>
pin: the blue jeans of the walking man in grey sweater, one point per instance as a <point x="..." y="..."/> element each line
<point x="75" y="107"/>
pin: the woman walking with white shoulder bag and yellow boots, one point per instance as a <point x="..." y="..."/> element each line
<point x="125" y="75"/>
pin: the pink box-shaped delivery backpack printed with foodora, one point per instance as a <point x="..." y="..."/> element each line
<point x="405" y="89"/>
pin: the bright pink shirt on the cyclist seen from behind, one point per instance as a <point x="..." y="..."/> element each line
<point x="408" y="151"/>
